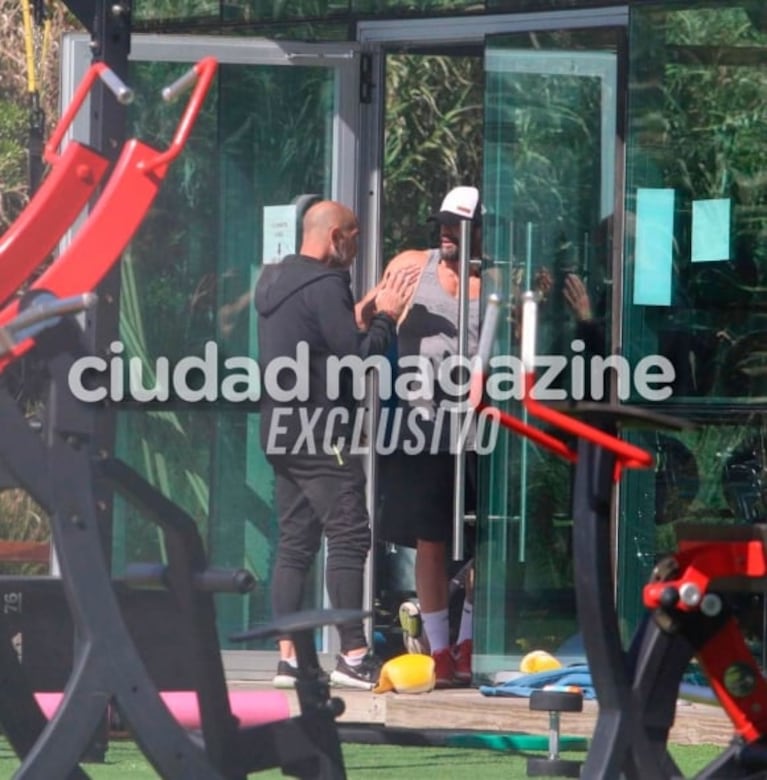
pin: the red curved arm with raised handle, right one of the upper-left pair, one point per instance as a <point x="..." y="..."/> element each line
<point x="128" y="196"/>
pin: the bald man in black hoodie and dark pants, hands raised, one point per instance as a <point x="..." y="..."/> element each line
<point x="305" y="317"/>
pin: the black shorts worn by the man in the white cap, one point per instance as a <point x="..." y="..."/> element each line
<point x="416" y="496"/>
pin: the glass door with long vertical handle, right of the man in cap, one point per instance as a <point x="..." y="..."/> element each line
<point x="549" y="169"/>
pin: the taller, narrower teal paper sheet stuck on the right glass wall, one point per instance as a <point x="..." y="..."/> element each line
<point x="654" y="246"/>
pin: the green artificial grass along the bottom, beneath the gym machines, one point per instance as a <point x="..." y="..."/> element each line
<point x="375" y="762"/>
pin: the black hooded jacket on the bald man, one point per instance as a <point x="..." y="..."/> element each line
<point x="302" y="301"/>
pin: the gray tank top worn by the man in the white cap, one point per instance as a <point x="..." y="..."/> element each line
<point x="430" y="331"/>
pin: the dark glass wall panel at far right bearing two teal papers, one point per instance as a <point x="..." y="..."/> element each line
<point x="696" y="205"/>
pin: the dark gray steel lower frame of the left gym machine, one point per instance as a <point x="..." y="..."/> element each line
<point x="107" y="669"/>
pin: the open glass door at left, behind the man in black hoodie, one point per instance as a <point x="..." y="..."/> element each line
<point x="276" y="130"/>
